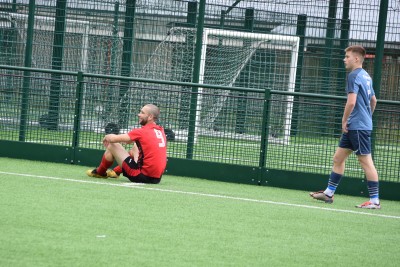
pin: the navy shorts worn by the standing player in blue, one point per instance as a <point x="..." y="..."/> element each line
<point x="357" y="140"/>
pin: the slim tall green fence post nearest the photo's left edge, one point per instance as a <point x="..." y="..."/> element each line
<point x="27" y="74"/>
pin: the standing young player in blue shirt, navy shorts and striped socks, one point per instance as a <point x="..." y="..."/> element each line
<point x="356" y="128"/>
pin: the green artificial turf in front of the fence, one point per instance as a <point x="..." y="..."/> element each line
<point x="54" y="215"/>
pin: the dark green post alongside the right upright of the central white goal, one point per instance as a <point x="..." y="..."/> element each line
<point x="301" y="33"/>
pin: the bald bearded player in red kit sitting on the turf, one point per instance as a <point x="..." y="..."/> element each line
<point x="146" y="161"/>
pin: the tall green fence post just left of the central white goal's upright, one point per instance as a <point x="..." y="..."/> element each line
<point x="195" y="79"/>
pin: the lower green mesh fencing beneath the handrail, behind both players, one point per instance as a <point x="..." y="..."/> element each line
<point x="307" y="148"/>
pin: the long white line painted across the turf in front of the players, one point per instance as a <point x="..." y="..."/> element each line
<point x="146" y="187"/>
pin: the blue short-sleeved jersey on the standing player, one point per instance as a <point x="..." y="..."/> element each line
<point x="359" y="82"/>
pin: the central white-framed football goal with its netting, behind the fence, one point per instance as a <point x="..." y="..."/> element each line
<point x="229" y="58"/>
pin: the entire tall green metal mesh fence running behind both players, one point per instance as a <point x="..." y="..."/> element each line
<point x="258" y="84"/>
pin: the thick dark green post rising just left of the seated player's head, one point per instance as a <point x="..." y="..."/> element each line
<point x="126" y="60"/>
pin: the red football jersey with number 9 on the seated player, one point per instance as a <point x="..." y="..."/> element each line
<point x="152" y="145"/>
